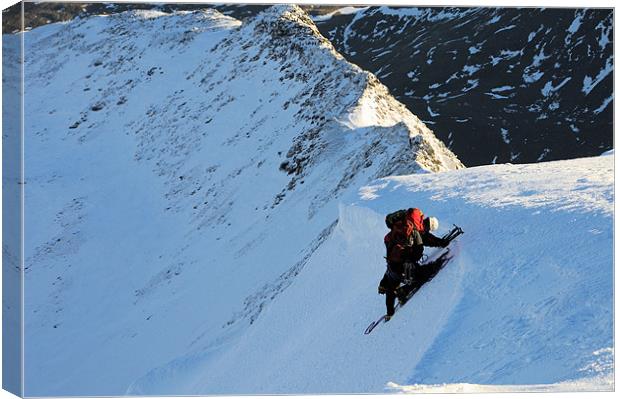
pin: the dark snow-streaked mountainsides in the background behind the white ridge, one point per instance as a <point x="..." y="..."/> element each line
<point x="513" y="84"/>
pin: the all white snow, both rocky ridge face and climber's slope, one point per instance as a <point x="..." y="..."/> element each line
<point x="205" y="216"/>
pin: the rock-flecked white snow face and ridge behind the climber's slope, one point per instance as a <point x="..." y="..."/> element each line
<point x="181" y="169"/>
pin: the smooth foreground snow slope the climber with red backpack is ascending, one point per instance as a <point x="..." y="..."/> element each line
<point x="525" y="305"/>
